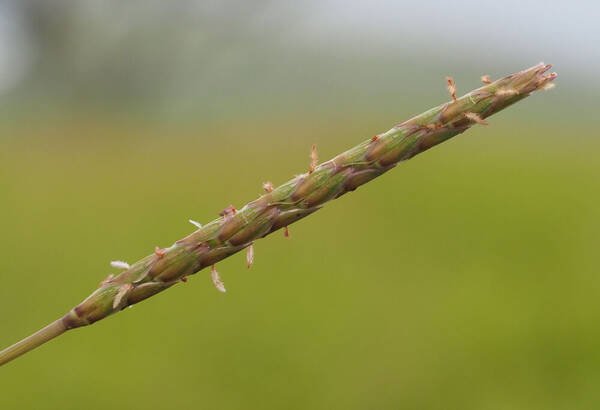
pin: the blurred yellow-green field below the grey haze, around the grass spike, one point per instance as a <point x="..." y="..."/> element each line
<point x="465" y="278"/>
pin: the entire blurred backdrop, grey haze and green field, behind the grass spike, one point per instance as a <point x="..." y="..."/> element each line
<point x="464" y="279"/>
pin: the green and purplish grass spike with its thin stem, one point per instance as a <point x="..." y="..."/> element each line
<point x="279" y="207"/>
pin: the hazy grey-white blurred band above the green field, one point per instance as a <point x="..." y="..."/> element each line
<point x="176" y="46"/>
